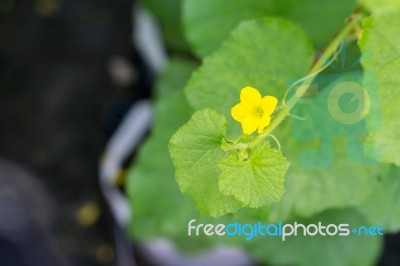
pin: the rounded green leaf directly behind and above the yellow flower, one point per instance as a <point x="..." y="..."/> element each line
<point x="276" y="52"/>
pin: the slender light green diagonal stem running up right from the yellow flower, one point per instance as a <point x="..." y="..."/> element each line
<point x="317" y="67"/>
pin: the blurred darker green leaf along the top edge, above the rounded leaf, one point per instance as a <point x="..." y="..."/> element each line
<point x="208" y="23"/>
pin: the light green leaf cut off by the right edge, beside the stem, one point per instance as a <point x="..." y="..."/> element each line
<point x="380" y="46"/>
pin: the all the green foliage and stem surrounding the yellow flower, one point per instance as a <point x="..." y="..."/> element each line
<point x="320" y="164"/>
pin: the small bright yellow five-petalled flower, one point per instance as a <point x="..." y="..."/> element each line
<point x="253" y="112"/>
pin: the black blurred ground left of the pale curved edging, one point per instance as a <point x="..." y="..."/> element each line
<point x="68" y="72"/>
